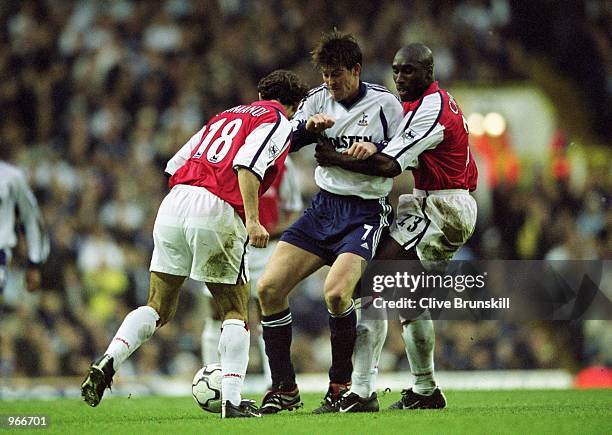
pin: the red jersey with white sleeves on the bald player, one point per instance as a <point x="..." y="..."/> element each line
<point x="433" y="140"/>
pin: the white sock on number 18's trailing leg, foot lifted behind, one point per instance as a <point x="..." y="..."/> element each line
<point x="137" y="327"/>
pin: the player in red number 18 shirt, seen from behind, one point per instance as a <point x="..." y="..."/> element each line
<point x="203" y="227"/>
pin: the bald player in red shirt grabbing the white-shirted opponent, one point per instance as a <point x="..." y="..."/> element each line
<point x="431" y="224"/>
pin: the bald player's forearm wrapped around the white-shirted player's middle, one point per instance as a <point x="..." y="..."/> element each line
<point x="376" y="164"/>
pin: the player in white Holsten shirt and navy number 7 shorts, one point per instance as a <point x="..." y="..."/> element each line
<point x="342" y="227"/>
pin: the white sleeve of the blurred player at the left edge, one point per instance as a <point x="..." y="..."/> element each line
<point x="37" y="239"/>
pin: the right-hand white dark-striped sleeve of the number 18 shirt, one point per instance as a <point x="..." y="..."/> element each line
<point x="264" y="145"/>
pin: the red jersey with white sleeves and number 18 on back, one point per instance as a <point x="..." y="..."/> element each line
<point x="254" y="136"/>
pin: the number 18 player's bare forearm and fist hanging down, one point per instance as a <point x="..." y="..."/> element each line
<point x="249" y="189"/>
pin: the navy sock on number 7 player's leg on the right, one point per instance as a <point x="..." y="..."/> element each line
<point x="343" y="331"/>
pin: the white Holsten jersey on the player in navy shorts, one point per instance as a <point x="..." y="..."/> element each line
<point x="373" y="117"/>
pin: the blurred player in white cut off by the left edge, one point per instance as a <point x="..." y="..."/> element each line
<point x="16" y="194"/>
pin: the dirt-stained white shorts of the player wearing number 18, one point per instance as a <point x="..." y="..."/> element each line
<point x="197" y="234"/>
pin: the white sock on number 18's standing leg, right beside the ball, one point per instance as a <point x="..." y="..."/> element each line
<point x="234" y="351"/>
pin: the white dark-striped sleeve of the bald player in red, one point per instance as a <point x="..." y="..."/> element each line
<point x="419" y="131"/>
